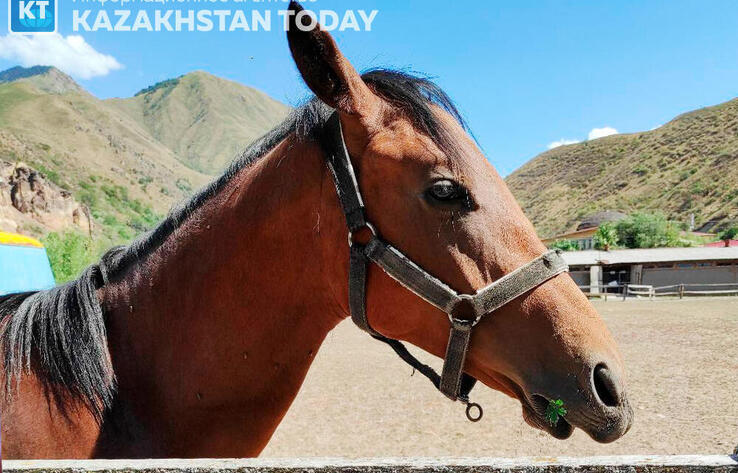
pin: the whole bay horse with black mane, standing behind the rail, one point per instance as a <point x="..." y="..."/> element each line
<point x="193" y="341"/>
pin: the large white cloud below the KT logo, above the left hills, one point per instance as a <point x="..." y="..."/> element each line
<point x="71" y="54"/>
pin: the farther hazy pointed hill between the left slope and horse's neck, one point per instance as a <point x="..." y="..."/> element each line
<point x="203" y="119"/>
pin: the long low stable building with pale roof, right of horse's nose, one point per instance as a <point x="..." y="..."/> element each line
<point x="654" y="266"/>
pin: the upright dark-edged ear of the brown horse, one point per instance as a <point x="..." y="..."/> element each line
<point x="324" y="69"/>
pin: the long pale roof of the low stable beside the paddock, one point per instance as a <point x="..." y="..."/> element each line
<point x="649" y="255"/>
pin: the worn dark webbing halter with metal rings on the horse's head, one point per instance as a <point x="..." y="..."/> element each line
<point x="464" y="310"/>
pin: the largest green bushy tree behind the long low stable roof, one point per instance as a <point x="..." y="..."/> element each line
<point x="644" y="230"/>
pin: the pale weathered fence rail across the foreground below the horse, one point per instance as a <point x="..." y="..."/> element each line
<point x="614" y="464"/>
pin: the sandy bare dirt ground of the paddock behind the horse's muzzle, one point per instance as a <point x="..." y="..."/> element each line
<point x="682" y="360"/>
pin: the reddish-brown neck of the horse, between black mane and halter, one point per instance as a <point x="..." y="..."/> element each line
<point x="215" y="332"/>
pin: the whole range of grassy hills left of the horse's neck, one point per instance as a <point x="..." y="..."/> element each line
<point x="126" y="161"/>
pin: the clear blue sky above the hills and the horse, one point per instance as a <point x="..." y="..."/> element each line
<point x="524" y="73"/>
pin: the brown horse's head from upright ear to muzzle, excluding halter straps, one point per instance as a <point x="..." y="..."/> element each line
<point x="430" y="191"/>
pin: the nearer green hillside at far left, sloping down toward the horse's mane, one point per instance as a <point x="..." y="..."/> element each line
<point x="83" y="145"/>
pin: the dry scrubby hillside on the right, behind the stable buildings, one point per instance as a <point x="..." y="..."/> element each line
<point x="687" y="166"/>
